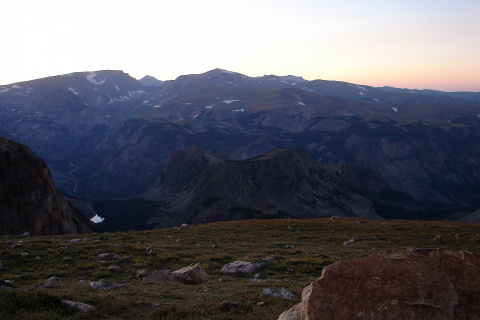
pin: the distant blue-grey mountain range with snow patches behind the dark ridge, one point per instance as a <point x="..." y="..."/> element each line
<point x="107" y="135"/>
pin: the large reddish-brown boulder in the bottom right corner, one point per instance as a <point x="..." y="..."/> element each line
<point x="404" y="284"/>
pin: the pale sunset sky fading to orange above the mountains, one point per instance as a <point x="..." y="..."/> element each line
<point x="416" y="44"/>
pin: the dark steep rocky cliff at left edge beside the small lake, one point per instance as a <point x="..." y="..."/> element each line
<point x="29" y="200"/>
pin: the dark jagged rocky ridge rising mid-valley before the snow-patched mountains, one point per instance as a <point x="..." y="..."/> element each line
<point x="197" y="187"/>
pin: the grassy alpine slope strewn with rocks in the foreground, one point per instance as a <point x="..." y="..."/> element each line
<point x="317" y="243"/>
